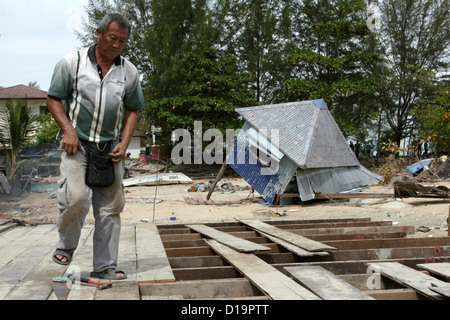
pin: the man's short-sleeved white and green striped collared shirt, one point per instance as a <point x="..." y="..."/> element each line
<point x="95" y="103"/>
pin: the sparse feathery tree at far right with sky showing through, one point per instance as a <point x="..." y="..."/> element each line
<point x="415" y="35"/>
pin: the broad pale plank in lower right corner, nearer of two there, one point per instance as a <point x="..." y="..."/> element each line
<point x="409" y="277"/>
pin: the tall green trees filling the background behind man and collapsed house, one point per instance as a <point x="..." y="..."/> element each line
<point x="201" y="59"/>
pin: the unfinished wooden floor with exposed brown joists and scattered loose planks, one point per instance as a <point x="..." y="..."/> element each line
<point x="190" y="262"/>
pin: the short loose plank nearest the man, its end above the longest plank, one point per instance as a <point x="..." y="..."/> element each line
<point x="236" y="243"/>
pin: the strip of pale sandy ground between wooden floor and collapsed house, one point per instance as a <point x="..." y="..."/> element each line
<point x="175" y="204"/>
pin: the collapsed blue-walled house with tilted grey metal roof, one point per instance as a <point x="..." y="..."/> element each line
<point x="298" y="143"/>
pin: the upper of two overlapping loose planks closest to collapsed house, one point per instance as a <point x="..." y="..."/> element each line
<point x="295" y="239"/>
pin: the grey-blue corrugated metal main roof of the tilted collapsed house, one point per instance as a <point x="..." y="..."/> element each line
<point x="308" y="134"/>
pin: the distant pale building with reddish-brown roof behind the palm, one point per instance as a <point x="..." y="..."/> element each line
<point x="36" y="99"/>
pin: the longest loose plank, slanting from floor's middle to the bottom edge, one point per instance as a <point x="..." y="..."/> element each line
<point x="272" y="282"/>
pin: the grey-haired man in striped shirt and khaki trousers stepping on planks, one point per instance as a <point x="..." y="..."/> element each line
<point x="94" y="96"/>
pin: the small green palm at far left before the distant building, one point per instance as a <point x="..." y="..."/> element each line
<point x="17" y="128"/>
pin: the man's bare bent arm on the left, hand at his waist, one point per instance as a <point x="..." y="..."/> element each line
<point x="70" y="142"/>
